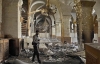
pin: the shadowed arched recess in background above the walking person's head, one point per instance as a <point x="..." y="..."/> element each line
<point x="42" y="23"/>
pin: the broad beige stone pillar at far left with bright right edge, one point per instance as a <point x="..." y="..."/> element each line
<point x="11" y="18"/>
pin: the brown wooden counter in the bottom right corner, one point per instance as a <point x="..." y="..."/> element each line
<point x="92" y="53"/>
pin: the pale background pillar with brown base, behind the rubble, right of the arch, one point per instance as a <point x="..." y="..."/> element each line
<point x="66" y="28"/>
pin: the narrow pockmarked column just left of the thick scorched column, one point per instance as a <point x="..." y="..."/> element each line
<point x="79" y="22"/>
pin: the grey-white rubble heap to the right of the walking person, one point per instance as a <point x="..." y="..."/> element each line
<point x="62" y="54"/>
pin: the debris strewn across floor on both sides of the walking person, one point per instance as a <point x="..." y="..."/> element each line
<point x="53" y="53"/>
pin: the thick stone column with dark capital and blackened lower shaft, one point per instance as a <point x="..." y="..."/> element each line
<point x="87" y="21"/>
